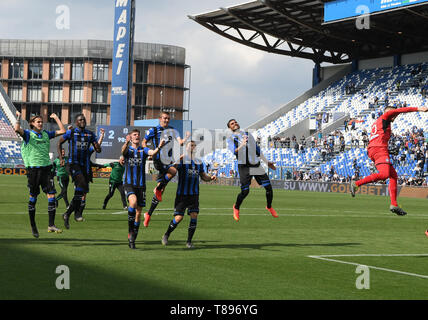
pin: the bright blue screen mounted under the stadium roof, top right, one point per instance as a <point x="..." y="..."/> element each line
<point x="343" y="9"/>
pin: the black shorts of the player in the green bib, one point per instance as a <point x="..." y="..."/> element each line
<point x="41" y="177"/>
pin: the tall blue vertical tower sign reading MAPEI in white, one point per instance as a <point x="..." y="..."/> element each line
<point x="122" y="56"/>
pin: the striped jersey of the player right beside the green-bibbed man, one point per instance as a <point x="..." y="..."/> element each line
<point x="79" y="142"/>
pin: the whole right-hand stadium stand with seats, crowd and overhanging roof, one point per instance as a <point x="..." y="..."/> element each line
<point x="388" y="65"/>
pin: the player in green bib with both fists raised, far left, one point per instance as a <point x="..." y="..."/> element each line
<point x="35" y="153"/>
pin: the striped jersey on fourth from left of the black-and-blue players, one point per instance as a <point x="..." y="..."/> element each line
<point x="188" y="176"/>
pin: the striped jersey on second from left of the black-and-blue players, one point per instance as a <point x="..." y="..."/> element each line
<point x="135" y="164"/>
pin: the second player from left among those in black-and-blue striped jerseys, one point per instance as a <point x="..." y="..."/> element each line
<point x="135" y="180"/>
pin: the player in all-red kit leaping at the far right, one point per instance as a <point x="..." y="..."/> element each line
<point x="378" y="152"/>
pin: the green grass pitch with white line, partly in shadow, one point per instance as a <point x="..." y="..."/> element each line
<point x="259" y="257"/>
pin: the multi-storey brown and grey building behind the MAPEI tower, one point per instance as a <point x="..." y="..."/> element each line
<point x="68" y="77"/>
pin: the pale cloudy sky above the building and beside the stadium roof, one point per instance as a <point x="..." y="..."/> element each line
<point x="229" y="80"/>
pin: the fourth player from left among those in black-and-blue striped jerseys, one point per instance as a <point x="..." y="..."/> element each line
<point x="187" y="196"/>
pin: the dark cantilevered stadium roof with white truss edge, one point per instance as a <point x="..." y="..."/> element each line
<point x="296" y="28"/>
